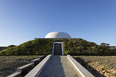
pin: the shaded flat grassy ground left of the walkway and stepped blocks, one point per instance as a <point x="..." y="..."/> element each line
<point x="9" y="64"/>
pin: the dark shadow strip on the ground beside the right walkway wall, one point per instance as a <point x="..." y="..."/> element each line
<point x="89" y="68"/>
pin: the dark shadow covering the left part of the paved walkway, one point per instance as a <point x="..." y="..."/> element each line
<point x="53" y="68"/>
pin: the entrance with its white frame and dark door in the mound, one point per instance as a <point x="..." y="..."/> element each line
<point x="57" y="48"/>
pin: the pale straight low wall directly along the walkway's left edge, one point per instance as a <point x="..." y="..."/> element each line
<point x="37" y="70"/>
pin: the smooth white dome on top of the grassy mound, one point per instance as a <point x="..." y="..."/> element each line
<point x="57" y="35"/>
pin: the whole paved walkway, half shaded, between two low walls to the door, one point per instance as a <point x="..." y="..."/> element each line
<point x="59" y="66"/>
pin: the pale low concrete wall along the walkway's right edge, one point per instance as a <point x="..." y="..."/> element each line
<point x="80" y="68"/>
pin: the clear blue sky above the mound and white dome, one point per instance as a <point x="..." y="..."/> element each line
<point x="24" y="20"/>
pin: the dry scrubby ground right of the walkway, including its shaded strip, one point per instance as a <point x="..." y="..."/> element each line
<point x="106" y="65"/>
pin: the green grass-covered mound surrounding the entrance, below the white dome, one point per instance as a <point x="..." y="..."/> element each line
<point x="70" y="46"/>
